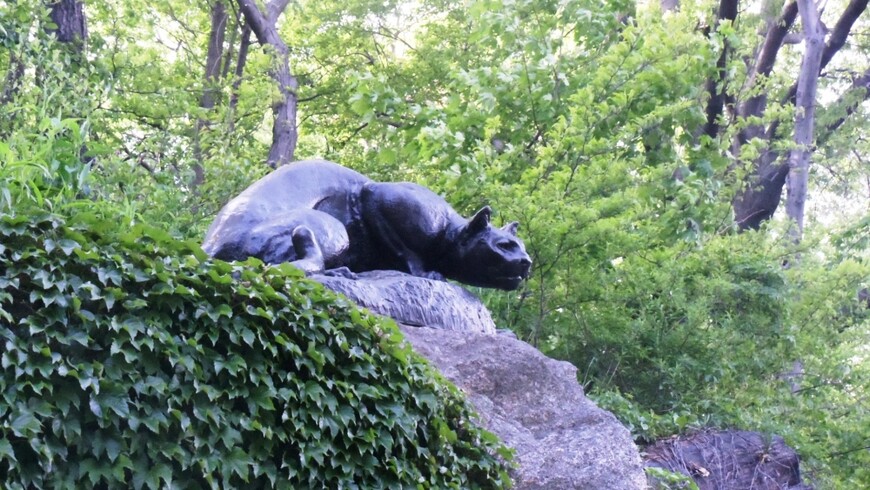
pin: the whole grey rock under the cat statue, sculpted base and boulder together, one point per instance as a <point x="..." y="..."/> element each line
<point x="533" y="403"/>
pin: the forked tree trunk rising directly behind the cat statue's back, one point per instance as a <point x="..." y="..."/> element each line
<point x="284" y="133"/>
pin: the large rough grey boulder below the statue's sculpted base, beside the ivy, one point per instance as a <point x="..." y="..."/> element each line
<point x="535" y="405"/>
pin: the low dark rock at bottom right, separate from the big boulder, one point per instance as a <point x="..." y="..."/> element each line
<point x="730" y="460"/>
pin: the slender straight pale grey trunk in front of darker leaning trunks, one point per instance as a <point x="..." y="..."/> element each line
<point x="805" y="101"/>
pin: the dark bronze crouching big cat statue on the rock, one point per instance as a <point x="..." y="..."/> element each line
<point x="319" y="215"/>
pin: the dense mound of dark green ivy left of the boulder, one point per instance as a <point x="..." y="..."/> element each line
<point x="134" y="361"/>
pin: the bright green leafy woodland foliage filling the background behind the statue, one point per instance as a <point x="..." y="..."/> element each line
<point x="583" y="120"/>
